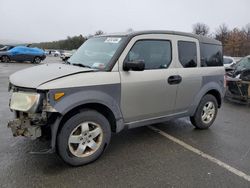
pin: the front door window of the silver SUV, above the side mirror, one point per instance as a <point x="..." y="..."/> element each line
<point x="156" y="54"/>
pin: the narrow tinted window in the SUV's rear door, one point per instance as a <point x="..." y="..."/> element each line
<point x="187" y="53"/>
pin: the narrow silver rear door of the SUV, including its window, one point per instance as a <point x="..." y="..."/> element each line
<point x="190" y="72"/>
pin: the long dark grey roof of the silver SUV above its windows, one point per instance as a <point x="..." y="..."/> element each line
<point x="201" y="38"/>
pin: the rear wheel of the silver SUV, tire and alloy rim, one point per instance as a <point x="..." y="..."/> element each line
<point x="205" y="113"/>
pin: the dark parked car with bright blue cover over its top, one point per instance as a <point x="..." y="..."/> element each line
<point x="23" y="53"/>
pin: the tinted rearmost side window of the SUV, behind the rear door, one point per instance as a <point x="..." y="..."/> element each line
<point x="211" y="55"/>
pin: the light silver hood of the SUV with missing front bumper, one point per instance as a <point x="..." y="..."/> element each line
<point x="38" y="75"/>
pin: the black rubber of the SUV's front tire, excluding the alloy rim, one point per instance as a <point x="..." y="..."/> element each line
<point x="64" y="149"/>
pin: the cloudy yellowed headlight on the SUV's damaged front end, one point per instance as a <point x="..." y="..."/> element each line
<point x="24" y="101"/>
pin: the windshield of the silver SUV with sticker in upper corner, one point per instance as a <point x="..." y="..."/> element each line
<point x="96" y="53"/>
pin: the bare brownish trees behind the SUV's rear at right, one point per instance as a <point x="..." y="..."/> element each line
<point x="235" y="42"/>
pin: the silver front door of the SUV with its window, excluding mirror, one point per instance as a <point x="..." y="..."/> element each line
<point x="147" y="94"/>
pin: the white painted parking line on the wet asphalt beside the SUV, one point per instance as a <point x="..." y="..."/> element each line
<point x="202" y="154"/>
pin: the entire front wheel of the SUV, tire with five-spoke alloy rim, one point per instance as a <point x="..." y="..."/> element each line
<point x="74" y="143"/>
